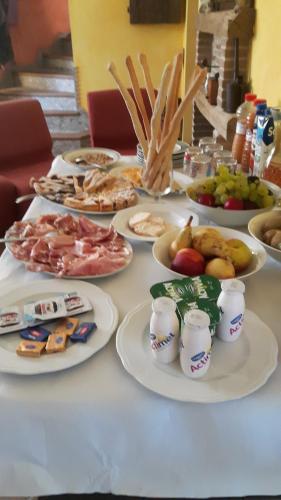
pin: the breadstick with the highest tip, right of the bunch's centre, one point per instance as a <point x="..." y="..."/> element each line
<point x="172" y="93"/>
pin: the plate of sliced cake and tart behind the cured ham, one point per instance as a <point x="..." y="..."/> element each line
<point x="94" y="192"/>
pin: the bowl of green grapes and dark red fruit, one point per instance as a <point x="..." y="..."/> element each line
<point x="232" y="199"/>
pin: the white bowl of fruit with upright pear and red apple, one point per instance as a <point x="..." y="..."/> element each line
<point x="223" y="253"/>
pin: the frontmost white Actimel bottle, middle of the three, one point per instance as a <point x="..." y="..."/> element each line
<point x="195" y="344"/>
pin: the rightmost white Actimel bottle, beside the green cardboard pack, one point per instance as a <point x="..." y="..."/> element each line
<point x="232" y="304"/>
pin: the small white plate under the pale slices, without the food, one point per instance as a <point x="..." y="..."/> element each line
<point x="174" y="218"/>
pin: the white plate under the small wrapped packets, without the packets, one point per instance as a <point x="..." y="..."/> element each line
<point x="105" y="315"/>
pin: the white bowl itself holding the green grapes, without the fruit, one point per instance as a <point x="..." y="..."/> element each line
<point x="230" y="218"/>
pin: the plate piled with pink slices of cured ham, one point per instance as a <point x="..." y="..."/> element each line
<point x="70" y="247"/>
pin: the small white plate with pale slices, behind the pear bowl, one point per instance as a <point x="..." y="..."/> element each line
<point x="149" y="221"/>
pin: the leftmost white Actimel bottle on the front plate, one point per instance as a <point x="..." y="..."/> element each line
<point x="164" y="330"/>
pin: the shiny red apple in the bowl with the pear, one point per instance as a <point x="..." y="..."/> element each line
<point x="188" y="262"/>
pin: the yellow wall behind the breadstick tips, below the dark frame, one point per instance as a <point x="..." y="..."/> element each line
<point x="101" y="32"/>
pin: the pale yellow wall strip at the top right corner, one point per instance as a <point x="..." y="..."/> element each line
<point x="266" y="49"/>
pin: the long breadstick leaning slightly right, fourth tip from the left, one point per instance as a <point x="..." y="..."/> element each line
<point x="157" y="114"/>
